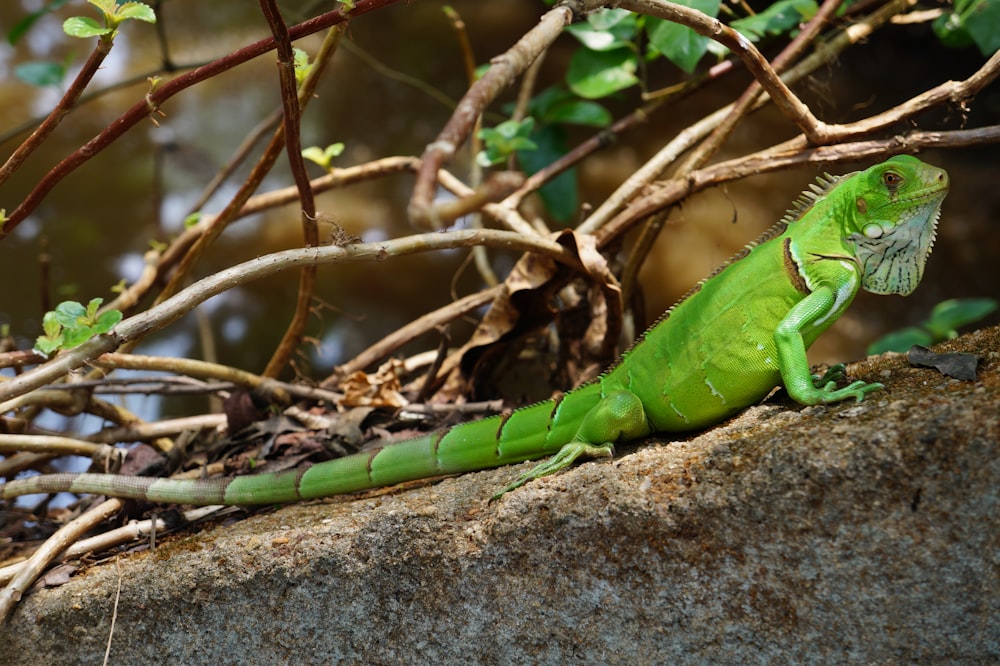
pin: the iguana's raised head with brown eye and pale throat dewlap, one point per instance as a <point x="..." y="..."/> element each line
<point x="895" y="211"/>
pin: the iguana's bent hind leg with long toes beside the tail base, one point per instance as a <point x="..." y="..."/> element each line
<point x="619" y="416"/>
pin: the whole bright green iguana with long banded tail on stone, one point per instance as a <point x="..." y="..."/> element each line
<point x="736" y="336"/>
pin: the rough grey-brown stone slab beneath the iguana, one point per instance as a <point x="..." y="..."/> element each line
<point x="860" y="533"/>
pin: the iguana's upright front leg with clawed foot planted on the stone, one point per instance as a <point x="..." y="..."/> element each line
<point x="813" y="310"/>
